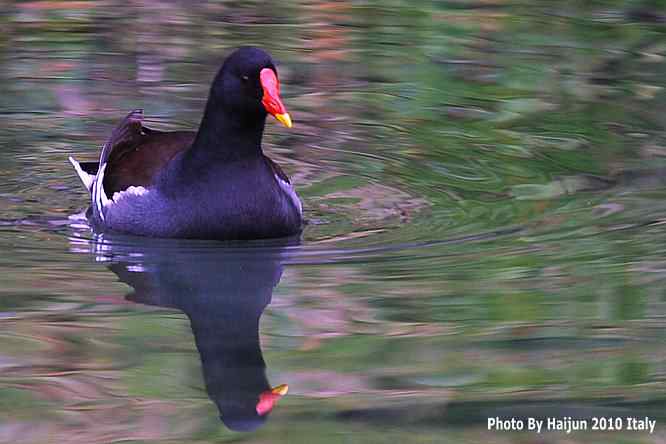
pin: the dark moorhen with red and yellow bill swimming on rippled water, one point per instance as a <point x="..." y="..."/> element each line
<point x="212" y="184"/>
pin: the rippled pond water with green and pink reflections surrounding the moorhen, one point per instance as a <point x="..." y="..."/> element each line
<point x="484" y="184"/>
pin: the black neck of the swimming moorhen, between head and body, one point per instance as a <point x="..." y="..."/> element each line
<point x="224" y="137"/>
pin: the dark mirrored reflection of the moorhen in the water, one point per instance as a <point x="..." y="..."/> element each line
<point x="223" y="291"/>
